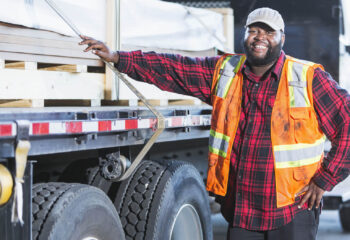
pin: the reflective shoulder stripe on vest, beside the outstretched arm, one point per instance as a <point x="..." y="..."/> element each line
<point x="228" y="70"/>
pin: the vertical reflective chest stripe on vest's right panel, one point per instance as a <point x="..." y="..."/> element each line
<point x="298" y="96"/>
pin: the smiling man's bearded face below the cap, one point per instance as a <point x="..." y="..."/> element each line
<point x="262" y="44"/>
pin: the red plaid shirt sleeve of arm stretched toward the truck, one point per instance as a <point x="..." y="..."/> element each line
<point x="169" y="72"/>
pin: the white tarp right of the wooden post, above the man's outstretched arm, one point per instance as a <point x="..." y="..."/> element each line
<point x="153" y="23"/>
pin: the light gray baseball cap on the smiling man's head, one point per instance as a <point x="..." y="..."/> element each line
<point x="268" y="16"/>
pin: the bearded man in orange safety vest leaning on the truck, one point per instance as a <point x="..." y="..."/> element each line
<point x="271" y="113"/>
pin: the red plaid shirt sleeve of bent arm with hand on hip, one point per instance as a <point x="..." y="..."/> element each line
<point x="332" y="105"/>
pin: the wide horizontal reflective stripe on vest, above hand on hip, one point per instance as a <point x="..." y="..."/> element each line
<point x="298" y="155"/>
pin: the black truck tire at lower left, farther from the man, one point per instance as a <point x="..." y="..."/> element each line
<point x="73" y="212"/>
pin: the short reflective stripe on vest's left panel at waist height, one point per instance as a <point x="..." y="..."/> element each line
<point x="218" y="143"/>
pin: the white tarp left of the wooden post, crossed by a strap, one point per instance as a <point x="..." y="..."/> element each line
<point x="87" y="15"/>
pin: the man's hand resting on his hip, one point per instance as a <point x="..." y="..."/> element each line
<point x="313" y="194"/>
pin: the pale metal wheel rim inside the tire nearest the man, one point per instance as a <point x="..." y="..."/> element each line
<point x="187" y="224"/>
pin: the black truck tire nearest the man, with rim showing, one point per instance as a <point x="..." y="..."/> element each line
<point x="164" y="202"/>
